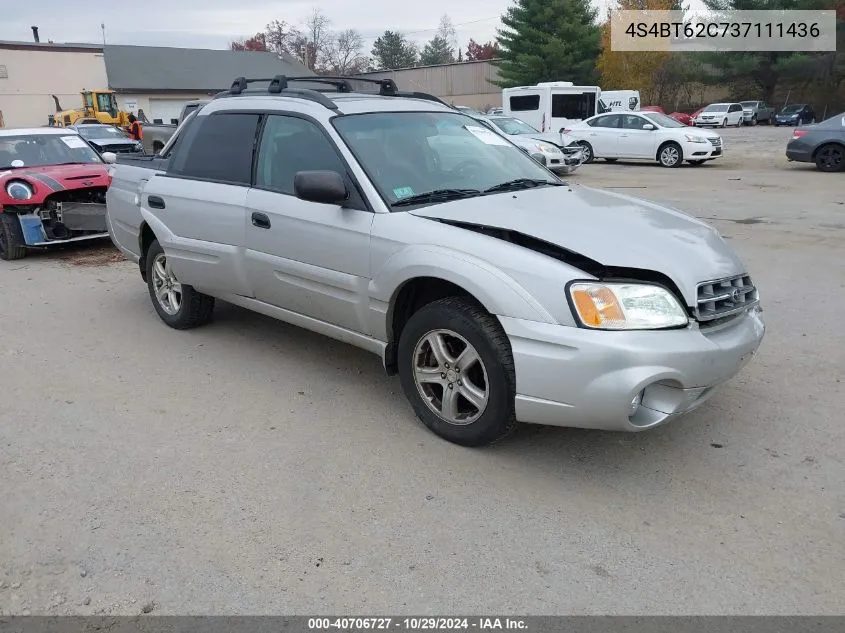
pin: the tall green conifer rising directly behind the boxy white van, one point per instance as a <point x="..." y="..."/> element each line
<point x="548" y="40"/>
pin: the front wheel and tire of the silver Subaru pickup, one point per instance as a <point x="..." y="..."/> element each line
<point x="456" y="369"/>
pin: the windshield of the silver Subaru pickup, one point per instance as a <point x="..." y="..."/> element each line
<point x="407" y="154"/>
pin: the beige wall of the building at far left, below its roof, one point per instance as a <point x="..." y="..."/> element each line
<point x="34" y="73"/>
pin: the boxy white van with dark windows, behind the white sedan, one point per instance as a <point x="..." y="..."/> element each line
<point x="551" y="105"/>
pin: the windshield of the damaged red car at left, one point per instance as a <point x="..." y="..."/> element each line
<point x="35" y="150"/>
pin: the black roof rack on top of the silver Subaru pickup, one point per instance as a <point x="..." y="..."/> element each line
<point x="279" y="85"/>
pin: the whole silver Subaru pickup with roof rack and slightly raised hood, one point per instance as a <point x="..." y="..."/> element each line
<point x="498" y="293"/>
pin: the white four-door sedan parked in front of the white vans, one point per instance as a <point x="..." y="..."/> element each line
<point x="644" y="136"/>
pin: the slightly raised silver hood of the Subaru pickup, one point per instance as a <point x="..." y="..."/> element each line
<point x="610" y="228"/>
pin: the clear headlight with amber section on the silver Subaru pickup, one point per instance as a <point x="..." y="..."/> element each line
<point x="625" y="306"/>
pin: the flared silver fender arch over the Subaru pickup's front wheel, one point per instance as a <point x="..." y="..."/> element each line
<point x="499" y="293"/>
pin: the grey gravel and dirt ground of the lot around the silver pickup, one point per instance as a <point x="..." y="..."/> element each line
<point x="251" y="467"/>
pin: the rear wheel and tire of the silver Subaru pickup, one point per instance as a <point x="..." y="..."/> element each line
<point x="177" y="304"/>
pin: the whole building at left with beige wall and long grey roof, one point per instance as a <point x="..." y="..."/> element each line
<point x="157" y="80"/>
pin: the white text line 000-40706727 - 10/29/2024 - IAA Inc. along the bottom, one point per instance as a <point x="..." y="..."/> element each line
<point x="416" y="624"/>
